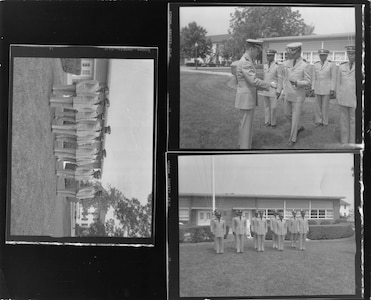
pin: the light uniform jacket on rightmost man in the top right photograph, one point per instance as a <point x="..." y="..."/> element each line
<point x="346" y="85"/>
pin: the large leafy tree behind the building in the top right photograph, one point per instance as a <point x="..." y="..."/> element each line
<point x="265" y="21"/>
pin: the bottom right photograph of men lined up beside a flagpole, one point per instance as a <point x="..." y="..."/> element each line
<point x="255" y="225"/>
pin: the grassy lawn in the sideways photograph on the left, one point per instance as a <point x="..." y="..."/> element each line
<point x="35" y="209"/>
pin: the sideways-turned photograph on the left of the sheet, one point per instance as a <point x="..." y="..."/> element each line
<point x="81" y="136"/>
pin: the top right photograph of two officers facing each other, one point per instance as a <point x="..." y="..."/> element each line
<point x="268" y="77"/>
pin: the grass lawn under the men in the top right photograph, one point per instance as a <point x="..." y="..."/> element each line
<point x="209" y="120"/>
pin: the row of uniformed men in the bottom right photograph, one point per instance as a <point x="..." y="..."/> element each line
<point x="297" y="227"/>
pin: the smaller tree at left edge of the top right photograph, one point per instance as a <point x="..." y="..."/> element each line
<point x="191" y="34"/>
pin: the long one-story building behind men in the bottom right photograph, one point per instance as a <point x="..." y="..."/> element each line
<point x="196" y="209"/>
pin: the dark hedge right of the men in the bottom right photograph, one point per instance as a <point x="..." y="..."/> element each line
<point x="327" y="232"/>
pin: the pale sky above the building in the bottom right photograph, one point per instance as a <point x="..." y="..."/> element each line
<point x="327" y="174"/>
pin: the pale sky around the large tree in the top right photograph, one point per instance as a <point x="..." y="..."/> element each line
<point x="326" y="20"/>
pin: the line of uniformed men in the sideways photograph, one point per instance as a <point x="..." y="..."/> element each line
<point x="78" y="126"/>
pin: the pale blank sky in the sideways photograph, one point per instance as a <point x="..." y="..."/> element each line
<point x="129" y="161"/>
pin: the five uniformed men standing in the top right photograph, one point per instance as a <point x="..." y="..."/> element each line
<point x="290" y="81"/>
